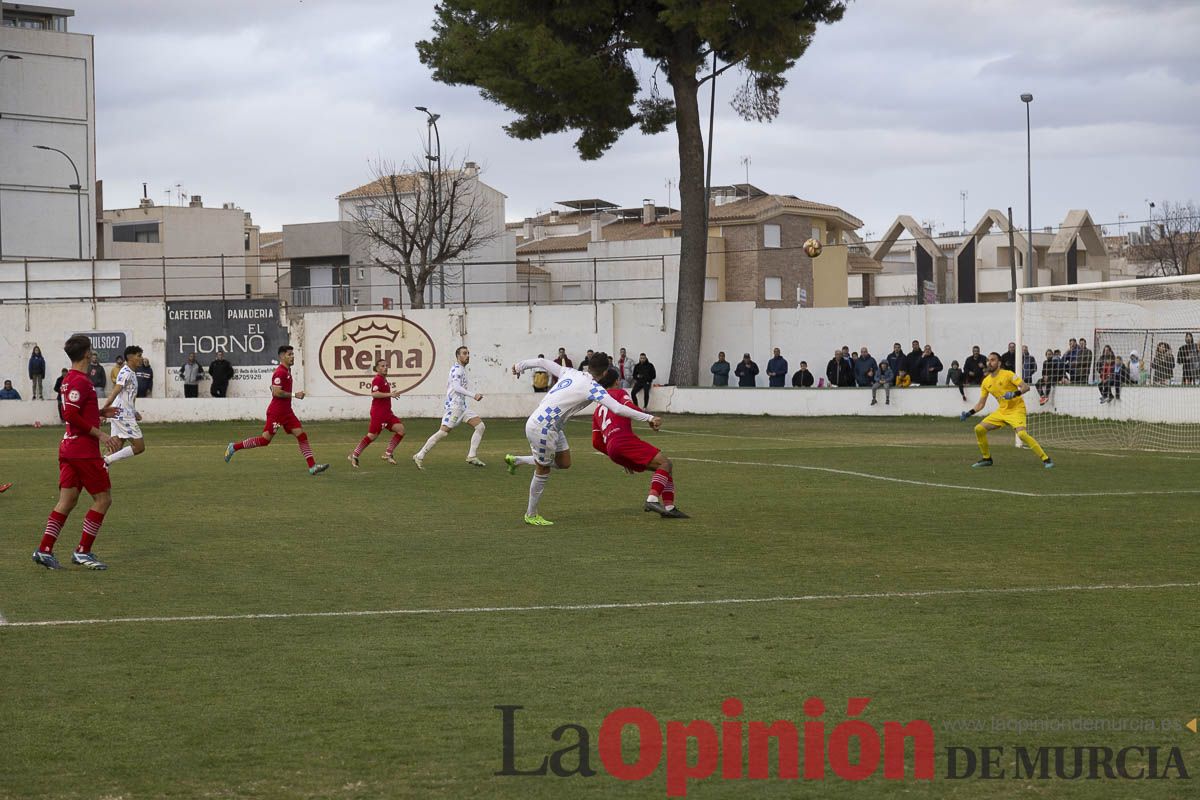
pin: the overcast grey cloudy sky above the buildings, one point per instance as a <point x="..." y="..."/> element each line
<point x="281" y="105"/>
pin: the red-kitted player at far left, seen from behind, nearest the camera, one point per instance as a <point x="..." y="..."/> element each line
<point x="81" y="466"/>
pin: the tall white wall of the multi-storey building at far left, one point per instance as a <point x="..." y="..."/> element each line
<point x="47" y="99"/>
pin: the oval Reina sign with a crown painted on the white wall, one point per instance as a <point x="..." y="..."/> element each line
<point x="349" y="353"/>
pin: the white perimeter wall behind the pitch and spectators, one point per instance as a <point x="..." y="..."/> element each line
<point x="500" y="336"/>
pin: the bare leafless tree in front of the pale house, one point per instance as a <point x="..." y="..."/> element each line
<point x="419" y="224"/>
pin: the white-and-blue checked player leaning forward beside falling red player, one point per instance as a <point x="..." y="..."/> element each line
<point x="574" y="392"/>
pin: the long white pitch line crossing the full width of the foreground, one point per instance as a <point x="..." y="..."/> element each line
<point x="587" y="607"/>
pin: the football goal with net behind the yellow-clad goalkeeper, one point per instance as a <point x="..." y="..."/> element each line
<point x="1132" y="382"/>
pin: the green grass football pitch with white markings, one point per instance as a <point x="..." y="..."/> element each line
<point x="866" y="516"/>
